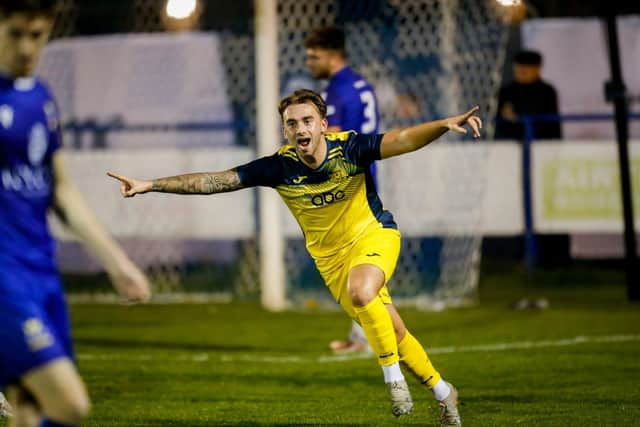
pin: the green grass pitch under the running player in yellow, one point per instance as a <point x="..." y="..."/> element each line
<point x="209" y="365"/>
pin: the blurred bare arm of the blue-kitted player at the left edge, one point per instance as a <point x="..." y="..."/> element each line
<point x="127" y="278"/>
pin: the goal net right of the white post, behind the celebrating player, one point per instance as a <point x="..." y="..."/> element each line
<point x="427" y="59"/>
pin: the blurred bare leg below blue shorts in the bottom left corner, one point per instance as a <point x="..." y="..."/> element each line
<point x="59" y="391"/>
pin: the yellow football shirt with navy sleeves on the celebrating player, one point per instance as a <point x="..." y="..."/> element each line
<point x="334" y="203"/>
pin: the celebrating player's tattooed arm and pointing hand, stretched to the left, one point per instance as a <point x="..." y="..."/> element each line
<point x="191" y="183"/>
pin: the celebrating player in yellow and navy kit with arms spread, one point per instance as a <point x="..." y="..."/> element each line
<point x="325" y="181"/>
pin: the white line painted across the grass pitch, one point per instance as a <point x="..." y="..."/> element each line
<point x="229" y="358"/>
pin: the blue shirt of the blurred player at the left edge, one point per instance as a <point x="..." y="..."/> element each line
<point x="29" y="136"/>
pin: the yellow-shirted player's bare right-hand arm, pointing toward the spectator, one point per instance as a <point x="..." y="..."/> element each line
<point x="400" y="141"/>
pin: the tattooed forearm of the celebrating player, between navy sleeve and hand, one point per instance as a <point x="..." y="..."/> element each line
<point x="199" y="183"/>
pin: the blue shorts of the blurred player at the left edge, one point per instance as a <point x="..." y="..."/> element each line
<point x="34" y="323"/>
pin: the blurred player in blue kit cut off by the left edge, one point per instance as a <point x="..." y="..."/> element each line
<point x="36" y="356"/>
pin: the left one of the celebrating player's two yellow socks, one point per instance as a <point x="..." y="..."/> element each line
<point x="376" y="323"/>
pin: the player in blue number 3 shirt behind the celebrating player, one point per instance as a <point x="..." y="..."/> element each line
<point x="351" y="105"/>
